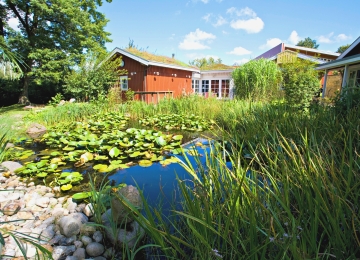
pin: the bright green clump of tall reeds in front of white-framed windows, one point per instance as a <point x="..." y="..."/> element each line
<point x="257" y="80"/>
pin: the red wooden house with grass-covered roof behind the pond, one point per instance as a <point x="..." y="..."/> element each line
<point x="152" y="76"/>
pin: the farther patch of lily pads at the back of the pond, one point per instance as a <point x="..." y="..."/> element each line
<point x="190" y="123"/>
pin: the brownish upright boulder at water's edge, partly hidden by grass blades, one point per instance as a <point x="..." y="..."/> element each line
<point x="130" y="193"/>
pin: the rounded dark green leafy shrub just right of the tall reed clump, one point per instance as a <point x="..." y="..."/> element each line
<point x="300" y="83"/>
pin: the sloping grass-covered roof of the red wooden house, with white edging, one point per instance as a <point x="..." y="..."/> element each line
<point x="149" y="59"/>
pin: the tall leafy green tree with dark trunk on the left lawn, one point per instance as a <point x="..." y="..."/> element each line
<point x="53" y="36"/>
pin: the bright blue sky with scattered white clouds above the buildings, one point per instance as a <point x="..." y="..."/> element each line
<point x="234" y="31"/>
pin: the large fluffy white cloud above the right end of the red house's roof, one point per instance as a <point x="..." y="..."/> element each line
<point x="194" y="40"/>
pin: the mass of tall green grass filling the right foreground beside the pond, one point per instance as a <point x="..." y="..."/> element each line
<point x="295" y="197"/>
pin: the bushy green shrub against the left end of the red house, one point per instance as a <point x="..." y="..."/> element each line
<point x="93" y="77"/>
